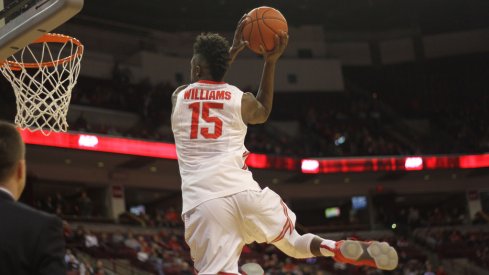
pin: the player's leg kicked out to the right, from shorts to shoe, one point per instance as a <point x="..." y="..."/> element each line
<point x="270" y="220"/>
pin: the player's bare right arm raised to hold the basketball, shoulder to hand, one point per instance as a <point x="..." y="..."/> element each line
<point x="255" y="110"/>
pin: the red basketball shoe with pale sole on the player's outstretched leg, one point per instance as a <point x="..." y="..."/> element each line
<point x="375" y="254"/>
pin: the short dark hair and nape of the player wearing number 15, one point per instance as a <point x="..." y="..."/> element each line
<point x="215" y="50"/>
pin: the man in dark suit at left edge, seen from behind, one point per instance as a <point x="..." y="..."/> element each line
<point x="31" y="242"/>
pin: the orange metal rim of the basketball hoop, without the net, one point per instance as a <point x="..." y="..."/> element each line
<point x="48" y="38"/>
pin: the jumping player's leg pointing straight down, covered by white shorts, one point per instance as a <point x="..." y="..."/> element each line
<point x="214" y="237"/>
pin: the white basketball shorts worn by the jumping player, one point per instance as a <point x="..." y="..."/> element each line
<point x="217" y="230"/>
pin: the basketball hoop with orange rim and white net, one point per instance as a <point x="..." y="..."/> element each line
<point x="43" y="75"/>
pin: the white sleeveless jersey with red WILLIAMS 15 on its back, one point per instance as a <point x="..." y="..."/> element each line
<point x="209" y="135"/>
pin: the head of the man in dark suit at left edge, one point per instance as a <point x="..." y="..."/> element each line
<point x="12" y="149"/>
